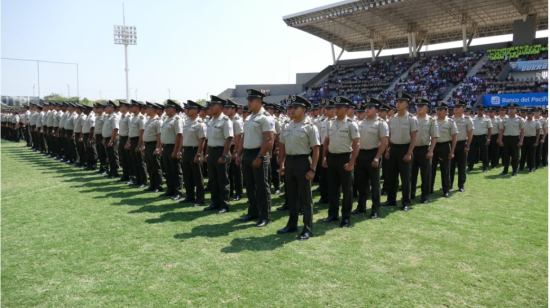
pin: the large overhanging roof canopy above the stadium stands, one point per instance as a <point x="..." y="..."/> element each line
<point x="354" y="25"/>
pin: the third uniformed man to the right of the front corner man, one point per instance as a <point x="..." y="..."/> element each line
<point x="403" y="129"/>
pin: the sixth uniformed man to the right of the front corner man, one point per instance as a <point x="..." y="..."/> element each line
<point x="465" y="127"/>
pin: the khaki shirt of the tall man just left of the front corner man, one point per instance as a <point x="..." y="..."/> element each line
<point x="254" y="128"/>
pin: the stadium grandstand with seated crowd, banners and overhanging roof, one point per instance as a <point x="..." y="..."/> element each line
<point x="467" y="73"/>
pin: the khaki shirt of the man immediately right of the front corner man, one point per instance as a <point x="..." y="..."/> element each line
<point x="340" y="135"/>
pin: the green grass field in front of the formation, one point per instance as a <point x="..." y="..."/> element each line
<point x="71" y="238"/>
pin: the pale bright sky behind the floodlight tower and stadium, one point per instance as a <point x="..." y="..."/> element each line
<point x="190" y="47"/>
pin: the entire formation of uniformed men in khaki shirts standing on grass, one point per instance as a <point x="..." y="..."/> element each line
<point x="169" y="141"/>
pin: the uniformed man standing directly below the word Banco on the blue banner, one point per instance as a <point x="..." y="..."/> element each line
<point x="512" y="131"/>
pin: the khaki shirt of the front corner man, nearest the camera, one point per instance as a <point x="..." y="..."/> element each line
<point x="298" y="138"/>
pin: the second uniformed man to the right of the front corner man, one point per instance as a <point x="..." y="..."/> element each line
<point x="374" y="134"/>
